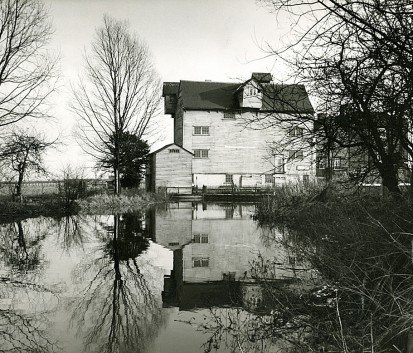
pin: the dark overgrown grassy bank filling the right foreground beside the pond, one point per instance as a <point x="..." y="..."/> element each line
<point x="361" y="246"/>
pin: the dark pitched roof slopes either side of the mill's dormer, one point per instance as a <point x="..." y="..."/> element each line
<point x="205" y="95"/>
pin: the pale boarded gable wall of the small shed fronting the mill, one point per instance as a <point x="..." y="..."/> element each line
<point x="173" y="169"/>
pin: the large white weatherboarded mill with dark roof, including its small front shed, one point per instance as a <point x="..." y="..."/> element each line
<point x="210" y="125"/>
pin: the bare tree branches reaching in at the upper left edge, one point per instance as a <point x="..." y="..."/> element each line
<point x="26" y="71"/>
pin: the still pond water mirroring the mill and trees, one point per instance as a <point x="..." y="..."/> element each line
<point x="181" y="278"/>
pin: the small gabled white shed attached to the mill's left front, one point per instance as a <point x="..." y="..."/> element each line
<point x="170" y="170"/>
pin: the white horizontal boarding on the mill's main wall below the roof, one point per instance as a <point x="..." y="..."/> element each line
<point x="234" y="149"/>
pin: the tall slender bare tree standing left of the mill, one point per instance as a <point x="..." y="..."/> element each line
<point x="121" y="95"/>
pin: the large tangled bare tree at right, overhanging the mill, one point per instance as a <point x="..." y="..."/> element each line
<point x="355" y="57"/>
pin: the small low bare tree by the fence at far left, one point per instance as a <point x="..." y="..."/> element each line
<point x="22" y="153"/>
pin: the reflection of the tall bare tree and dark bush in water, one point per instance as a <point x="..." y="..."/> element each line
<point x="117" y="311"/>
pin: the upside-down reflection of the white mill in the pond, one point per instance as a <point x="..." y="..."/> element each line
<point x="215" y="248"/>
